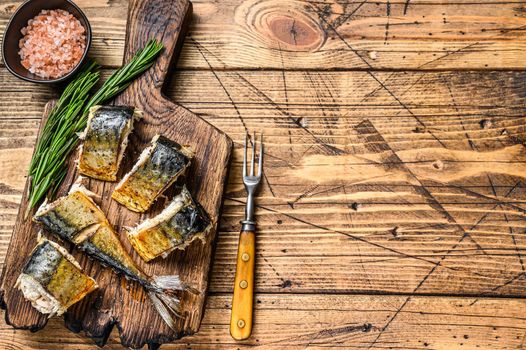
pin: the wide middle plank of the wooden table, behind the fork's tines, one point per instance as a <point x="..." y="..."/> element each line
<point x="310" y="194"/>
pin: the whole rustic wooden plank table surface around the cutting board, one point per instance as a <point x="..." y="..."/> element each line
<point x="393" y="209"/>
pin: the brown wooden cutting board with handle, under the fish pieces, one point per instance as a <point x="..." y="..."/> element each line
<point x="119" y="302"/>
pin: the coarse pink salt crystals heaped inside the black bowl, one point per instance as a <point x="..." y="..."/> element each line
<point x="53" y="43"/>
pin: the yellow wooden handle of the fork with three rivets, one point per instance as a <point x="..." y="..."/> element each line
<point x="242" y="301"/>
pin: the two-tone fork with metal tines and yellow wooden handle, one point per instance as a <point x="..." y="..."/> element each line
<point x="242" y="301"/>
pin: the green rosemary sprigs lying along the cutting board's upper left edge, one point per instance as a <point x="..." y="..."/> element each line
<point x="69" y="116"/>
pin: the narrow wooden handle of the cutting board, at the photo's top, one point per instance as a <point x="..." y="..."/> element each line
<point x="164" y="20"/>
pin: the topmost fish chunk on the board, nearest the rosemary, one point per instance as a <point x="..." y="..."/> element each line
<point x="105" y="140"/>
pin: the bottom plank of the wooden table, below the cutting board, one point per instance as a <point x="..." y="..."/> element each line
<point x="333" y="321"/>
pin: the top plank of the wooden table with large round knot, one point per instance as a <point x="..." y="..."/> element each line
<point x="331" y="34"/>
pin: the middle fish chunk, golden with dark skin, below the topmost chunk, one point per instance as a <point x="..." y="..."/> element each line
<point x="158" y="167"/>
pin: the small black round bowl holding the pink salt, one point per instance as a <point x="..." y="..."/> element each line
<point x="12" y="36"/>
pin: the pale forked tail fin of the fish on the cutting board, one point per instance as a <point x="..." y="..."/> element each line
<point x="161" y="293"/>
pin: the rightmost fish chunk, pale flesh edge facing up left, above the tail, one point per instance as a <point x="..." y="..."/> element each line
<point x="180" y="223"/>
